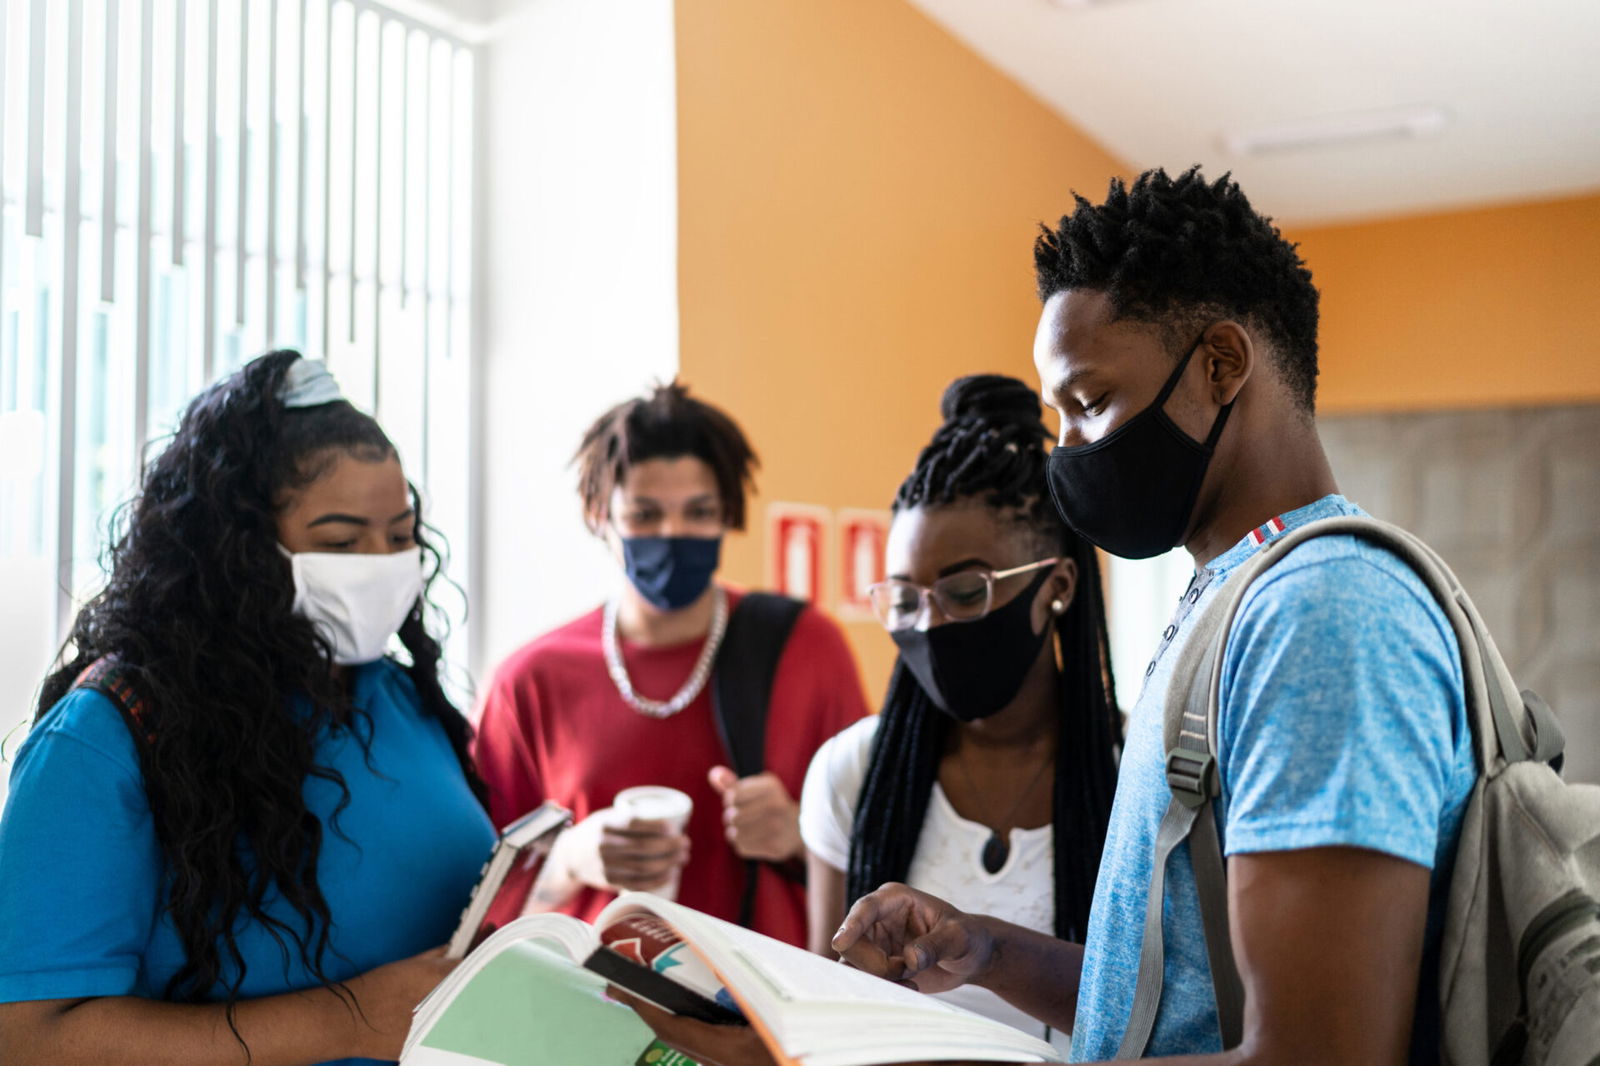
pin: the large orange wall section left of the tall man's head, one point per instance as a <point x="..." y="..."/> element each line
<point x="858" y="194"/>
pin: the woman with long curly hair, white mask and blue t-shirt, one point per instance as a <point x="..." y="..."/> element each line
<point x="239" y="827"/>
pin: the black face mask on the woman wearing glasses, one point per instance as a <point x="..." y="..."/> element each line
<point x="974" y="670"/>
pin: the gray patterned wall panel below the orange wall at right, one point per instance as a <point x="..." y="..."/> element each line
<point x="1513" y="500"/>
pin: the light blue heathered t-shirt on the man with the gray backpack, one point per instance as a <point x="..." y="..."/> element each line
<point x="1343" y="723"/>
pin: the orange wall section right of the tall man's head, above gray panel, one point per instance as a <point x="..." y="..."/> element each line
<point x="1487" y="308"/>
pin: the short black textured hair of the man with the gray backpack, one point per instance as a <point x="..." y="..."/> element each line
<point x="1175" y="252"/>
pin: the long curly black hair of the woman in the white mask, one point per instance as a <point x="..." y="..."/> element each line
<point x="198" y="617"/>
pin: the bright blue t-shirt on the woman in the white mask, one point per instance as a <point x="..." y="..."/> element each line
<point x="82" y="899"/>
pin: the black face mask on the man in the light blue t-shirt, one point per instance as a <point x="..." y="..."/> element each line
<point x="1132" y="492"/>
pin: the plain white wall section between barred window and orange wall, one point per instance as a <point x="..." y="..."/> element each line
<point x="577" y="284"/>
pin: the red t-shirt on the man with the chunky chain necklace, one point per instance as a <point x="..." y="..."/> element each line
<point x="554" y="727"/>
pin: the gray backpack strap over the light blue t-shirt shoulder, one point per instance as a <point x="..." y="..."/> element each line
<point x="1498" y="713"/>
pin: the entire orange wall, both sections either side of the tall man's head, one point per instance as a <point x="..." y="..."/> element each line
<point x="857" y="199"/>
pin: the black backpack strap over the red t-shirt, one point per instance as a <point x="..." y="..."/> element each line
<point x="743" y="691"/>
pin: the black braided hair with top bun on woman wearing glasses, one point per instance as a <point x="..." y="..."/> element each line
<point x="991" y="449"/>
